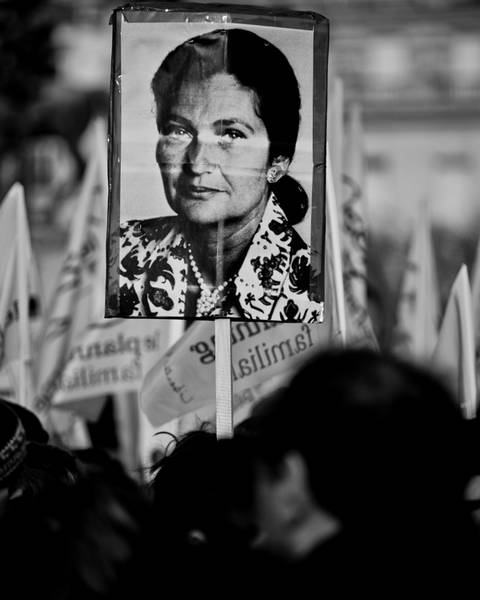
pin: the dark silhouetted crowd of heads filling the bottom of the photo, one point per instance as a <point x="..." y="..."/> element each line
<point x="353" y="479"/>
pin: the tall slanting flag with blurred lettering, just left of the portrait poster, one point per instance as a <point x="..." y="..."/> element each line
<point x="77" y="296"/>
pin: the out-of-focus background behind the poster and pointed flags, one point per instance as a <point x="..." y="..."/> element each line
<point x="413" y="66"/>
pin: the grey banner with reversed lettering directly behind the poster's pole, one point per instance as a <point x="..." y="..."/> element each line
<point x="183" y="380"/>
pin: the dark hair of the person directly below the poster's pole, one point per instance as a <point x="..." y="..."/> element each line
<point x="199" y="495"/>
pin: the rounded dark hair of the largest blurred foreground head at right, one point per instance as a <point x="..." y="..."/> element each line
<point x="375" y="433"/>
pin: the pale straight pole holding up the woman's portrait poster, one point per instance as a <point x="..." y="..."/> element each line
<point x="223" y="379"/>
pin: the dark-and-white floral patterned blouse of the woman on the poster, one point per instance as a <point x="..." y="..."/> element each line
<point x="272" y="283"/>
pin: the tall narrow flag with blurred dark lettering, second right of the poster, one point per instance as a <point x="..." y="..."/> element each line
<point x="354" y="237"/>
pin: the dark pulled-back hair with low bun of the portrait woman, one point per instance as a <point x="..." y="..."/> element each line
<point x="258" y="65"/>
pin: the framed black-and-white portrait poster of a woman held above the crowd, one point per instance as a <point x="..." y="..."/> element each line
<point x="217" y="163"/>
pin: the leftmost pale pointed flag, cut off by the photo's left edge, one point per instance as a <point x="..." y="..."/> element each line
<point x="19" y="299"/>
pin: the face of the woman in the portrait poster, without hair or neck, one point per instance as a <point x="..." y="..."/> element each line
<point x="213" y="152"/>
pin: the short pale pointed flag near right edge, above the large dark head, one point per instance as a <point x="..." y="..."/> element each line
<point x="454" y="354"/>
